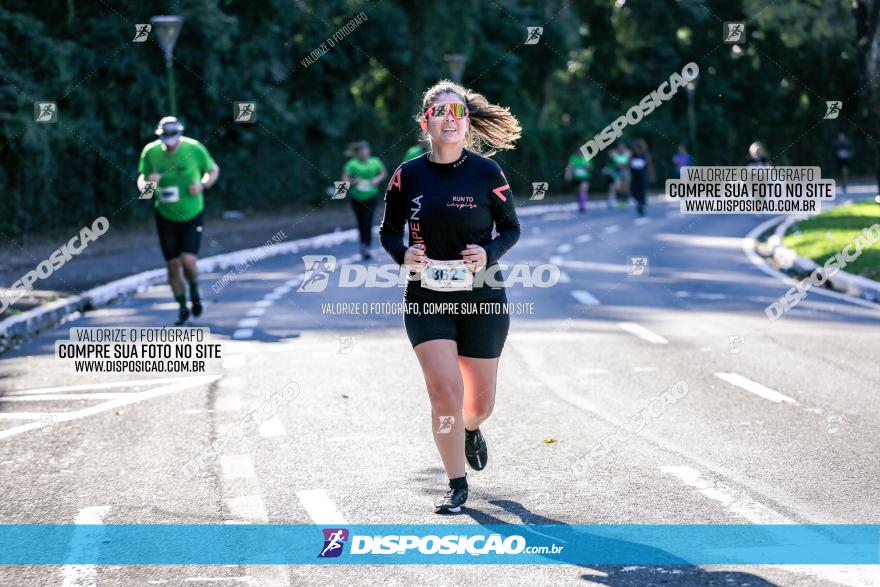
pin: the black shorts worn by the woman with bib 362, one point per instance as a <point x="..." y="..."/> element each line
<point x="479" y="328"/>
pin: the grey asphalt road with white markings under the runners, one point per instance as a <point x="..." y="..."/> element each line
<point x="779" y="422"/>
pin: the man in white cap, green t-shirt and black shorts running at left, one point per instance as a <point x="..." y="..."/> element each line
<point x="177" y="170"/>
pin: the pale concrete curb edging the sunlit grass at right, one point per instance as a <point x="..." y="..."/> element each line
<point x="801" y="267"/>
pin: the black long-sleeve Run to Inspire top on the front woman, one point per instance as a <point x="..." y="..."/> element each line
<point x="447" y="206"/>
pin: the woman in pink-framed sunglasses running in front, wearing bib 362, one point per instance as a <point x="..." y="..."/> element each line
<point x="452" y="198"/>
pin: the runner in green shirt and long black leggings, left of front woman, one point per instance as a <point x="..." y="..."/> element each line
<point x="363" y="173"/>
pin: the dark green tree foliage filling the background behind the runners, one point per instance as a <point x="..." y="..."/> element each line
<point x="594" y="61"/>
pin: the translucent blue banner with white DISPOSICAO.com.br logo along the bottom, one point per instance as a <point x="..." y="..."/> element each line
<point x="653" y="544"/>
